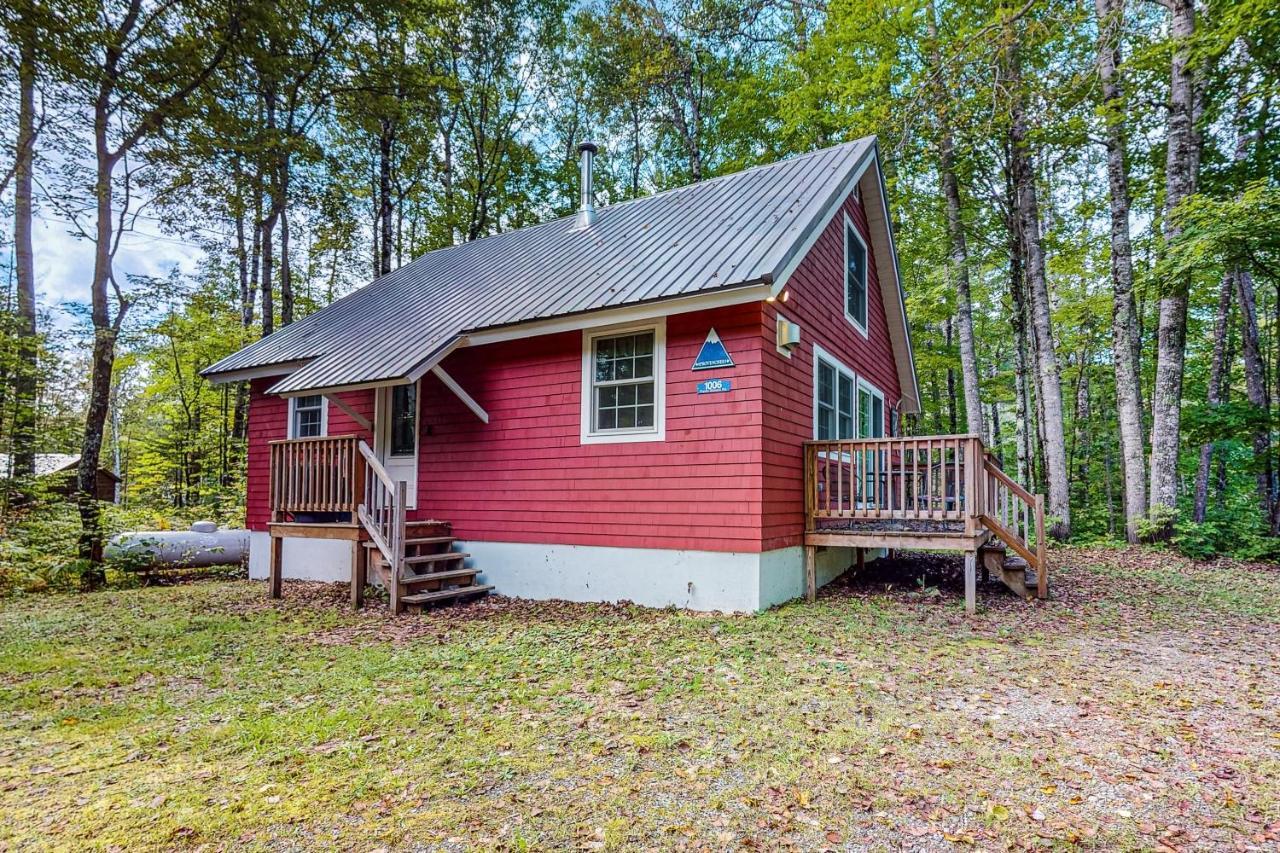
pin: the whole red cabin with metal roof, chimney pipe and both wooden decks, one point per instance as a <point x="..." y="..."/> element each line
<point x="691" y="399"/>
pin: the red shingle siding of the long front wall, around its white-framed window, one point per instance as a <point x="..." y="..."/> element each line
<point x="527" y="477"/>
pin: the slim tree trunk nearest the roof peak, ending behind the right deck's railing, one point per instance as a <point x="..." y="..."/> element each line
<point x="958" y="248"/>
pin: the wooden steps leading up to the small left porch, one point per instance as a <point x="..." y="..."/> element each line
<point x="433" y="574"/>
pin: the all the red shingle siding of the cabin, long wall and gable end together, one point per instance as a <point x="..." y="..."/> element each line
<point x="728" y="477"/>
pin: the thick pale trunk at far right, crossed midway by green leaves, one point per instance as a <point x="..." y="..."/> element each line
<point x="1172" y="334"/>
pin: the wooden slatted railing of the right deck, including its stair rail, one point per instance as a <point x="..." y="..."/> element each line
<point x="948" y="480"/>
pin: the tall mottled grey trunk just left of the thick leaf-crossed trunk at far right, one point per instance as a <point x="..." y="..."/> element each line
<point x="1124" y="321"/>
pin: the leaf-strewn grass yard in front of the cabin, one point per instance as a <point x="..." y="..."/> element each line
<point x="1139" y="710"/>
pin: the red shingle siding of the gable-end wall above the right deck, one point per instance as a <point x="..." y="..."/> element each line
<point x="816" y="304"/>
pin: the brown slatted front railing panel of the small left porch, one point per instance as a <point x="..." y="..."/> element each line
<point x="317" y="476"/>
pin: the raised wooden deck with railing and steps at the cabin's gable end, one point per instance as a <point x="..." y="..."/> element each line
<point x="931" y="492"/>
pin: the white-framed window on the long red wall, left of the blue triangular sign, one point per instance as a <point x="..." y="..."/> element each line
<point x="624" y="384"/>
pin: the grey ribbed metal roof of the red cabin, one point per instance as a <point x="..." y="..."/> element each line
<point x="726" y="232"/>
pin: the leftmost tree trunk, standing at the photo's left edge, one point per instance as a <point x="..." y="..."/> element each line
<point x="28" y="344"/>
